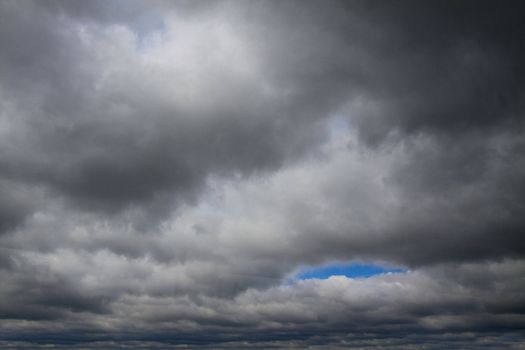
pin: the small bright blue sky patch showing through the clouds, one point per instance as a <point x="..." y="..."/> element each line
<point x="349" y="270"/>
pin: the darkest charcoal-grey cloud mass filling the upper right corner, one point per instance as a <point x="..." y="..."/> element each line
<point x="433" y="67"/>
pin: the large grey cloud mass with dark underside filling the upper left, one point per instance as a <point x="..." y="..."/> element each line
<point x="116" y="145"/>
